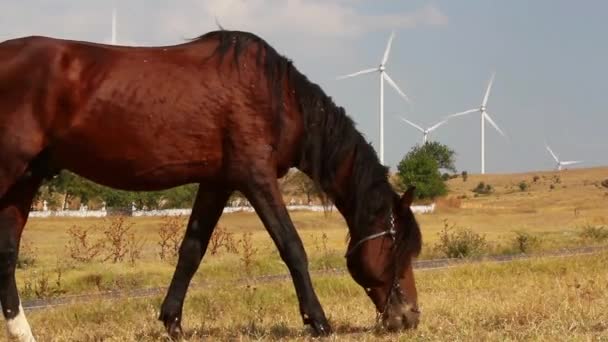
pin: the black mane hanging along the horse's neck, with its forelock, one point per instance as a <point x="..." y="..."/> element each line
<point x="330" y="136"/>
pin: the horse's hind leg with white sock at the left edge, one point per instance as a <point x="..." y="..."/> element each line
<point x="14" y="210"/>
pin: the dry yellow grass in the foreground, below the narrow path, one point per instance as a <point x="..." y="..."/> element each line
<point x="540" y="300"/>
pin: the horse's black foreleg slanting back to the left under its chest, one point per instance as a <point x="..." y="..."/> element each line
<point x="206" y="212"/>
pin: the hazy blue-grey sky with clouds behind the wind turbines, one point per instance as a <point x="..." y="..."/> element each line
<point x="548" y="56"/>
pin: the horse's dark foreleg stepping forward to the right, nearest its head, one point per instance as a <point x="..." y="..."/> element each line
<point x="263" y="192"/>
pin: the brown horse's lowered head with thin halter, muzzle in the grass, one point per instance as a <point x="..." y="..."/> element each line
<point x="382" y="263"/>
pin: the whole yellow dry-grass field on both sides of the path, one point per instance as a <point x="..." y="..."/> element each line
<point x="492" y="302"/>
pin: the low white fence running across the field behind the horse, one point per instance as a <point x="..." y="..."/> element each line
<point x="84" y="212"/>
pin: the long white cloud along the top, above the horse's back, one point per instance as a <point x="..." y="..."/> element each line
<point x="156" y="21"/>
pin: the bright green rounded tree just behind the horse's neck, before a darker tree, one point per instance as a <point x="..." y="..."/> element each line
<point x="420" y="169"/>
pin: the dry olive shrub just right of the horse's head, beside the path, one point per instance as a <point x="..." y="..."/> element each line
<point x="459" y="242"/>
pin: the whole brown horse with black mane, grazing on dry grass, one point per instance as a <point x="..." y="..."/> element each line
<point x="224" y="110"/>
